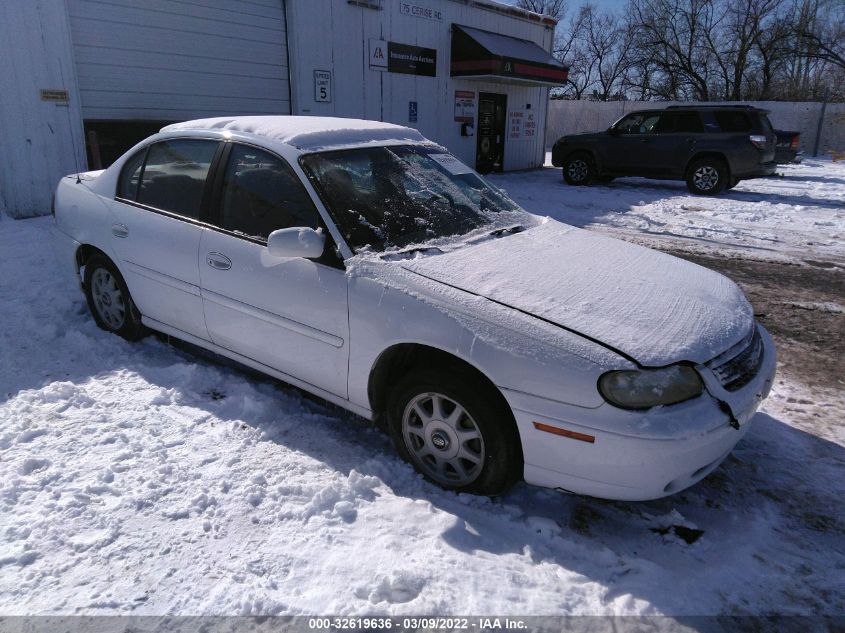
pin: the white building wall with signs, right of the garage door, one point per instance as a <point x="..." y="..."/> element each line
<point x="334" y="35"/>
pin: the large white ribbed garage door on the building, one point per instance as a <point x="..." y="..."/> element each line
<point x="169" y="60"/>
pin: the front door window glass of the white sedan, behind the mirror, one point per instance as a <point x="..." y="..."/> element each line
<point x="262" y="194"/>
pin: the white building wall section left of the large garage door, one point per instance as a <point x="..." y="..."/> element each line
<point x="41" y="140"/>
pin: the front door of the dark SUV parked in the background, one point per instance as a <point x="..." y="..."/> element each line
<point x="628" y="147"/>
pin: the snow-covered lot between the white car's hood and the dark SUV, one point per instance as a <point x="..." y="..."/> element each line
<point x="799" y="215"/>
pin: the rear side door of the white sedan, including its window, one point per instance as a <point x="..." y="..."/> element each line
<point x="156" y="230"/>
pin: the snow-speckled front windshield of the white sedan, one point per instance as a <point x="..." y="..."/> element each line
<point x="386" y="198"/>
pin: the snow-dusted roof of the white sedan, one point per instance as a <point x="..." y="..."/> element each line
<point x="308" y="132"/>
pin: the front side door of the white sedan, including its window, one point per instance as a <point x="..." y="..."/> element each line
<point x="289" y="314"/>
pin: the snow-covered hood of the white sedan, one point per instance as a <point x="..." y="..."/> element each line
<point x="654" y="308"/>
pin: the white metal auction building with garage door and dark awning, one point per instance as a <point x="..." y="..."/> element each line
<point x="83" y="80"/>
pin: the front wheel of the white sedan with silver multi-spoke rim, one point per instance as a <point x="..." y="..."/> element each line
<point x="455" y="431"/>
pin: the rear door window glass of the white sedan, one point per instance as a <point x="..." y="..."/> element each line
<point x="174" y="176"/>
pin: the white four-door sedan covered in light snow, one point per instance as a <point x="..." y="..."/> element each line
<point x="365" y="264"/>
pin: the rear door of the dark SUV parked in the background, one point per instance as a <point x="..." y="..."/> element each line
<point x="676" y="138"/>
